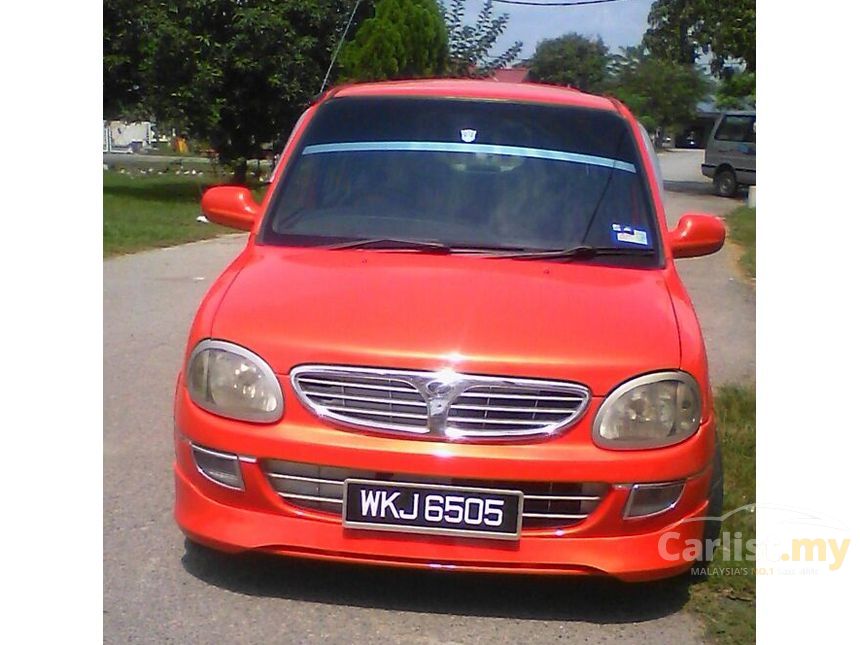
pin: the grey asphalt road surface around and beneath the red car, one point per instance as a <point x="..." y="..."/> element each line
<point x="156" y="589"/>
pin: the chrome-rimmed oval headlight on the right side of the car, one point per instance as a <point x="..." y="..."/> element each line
<point x="650" y="411"/>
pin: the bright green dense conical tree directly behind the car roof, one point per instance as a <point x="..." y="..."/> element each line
<point x="403" y="39"/>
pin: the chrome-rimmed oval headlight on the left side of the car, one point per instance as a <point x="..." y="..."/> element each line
<point x="231" y="381"/>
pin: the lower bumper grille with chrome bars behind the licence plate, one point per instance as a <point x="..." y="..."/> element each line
<point x="545" y="504"/>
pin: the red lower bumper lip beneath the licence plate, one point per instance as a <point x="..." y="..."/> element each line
<point x="631" y="557"/>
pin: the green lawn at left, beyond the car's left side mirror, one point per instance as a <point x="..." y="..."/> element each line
<point x="144" y="211"/>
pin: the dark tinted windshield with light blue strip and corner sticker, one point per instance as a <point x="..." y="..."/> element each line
<point x="467" y="174"/>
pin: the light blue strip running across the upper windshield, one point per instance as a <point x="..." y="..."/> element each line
<point x="445" y="146"/>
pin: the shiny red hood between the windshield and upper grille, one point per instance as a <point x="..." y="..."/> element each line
<point x="592" y="324"/>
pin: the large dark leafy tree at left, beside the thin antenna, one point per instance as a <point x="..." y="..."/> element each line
<point x="236" y="74"/>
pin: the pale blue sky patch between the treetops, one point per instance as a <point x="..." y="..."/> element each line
<point x="619" y="23"/>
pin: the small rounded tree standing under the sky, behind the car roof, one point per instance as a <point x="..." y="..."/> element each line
<point x="571" y="60"/>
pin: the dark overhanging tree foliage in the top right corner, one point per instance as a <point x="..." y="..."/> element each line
<point x="683" y="30"/>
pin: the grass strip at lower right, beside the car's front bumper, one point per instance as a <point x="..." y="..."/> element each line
<point x="727" y="600"/>
